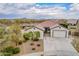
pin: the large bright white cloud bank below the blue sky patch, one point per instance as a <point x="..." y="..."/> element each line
<point x="56" y="12"/>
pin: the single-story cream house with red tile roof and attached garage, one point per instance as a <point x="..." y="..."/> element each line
<point x="49" y="28"/>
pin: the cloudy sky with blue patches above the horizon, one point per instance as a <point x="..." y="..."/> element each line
<point x="39" y="10"/>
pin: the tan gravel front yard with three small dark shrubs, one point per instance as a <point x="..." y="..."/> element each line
<point x="30" y="47"/>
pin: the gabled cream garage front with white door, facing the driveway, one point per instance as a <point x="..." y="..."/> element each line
<point x="59" y="32"/>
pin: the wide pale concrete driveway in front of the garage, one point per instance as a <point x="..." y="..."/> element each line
<point x="58" y="46"/>
